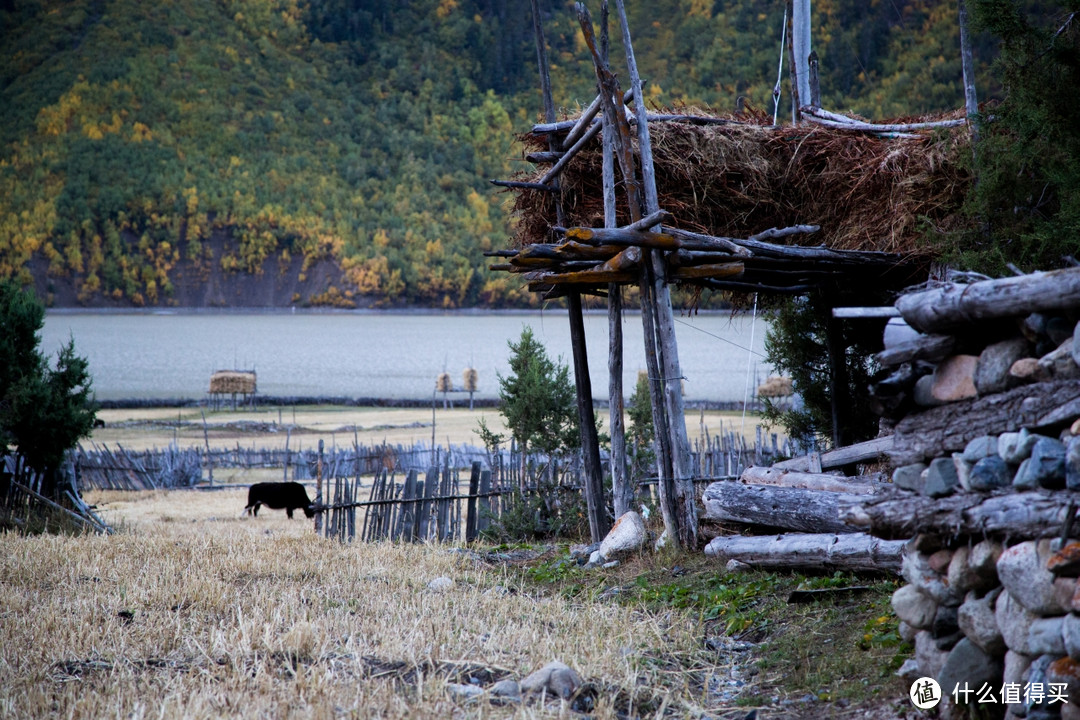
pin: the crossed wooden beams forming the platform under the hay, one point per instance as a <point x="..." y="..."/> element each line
<point x="598" y="256"/>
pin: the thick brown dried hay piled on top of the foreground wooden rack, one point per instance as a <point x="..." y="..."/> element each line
<point x="868" y="194"/>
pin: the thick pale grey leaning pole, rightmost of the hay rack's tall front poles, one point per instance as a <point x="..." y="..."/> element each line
<point x="686" y="533"/>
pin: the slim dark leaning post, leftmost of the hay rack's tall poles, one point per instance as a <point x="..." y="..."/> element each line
<point x="587" y="417"/>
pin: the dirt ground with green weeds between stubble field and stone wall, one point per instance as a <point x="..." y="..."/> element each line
<point x="840" y="645"/>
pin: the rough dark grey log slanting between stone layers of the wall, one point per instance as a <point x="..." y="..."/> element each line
<point x="950" y="428"/>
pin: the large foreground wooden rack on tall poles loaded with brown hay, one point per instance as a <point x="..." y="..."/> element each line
<point x="719" y="203"/>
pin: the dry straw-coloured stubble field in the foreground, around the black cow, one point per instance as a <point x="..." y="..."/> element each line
<point x="191" y="612"/>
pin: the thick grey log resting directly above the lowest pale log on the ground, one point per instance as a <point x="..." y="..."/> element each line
<point x="788" y="509"/>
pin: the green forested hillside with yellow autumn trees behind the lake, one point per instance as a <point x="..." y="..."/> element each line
<point x="266" y="137"/>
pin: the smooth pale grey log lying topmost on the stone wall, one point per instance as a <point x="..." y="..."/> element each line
<point x="954" y="306"/>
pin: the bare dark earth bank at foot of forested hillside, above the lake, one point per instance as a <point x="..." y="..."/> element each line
<point x="205" y="283"/>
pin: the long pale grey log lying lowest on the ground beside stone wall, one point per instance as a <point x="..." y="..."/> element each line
<point x="856" y="552"/>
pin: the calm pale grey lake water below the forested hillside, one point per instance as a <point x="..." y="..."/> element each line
<point x="380" y="355"/>
